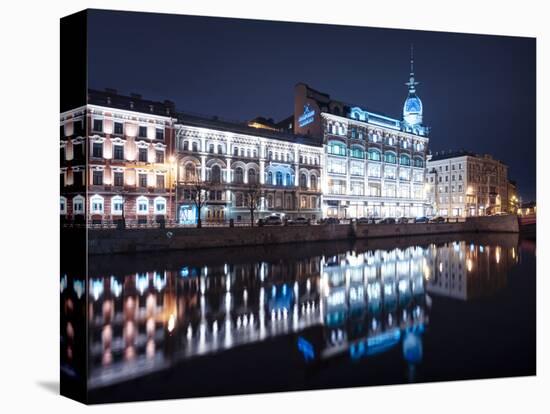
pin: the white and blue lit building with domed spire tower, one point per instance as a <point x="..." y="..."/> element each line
<point x="373" y="165"/>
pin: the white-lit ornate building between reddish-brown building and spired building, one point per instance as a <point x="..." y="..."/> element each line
<point x="233" y="157"/>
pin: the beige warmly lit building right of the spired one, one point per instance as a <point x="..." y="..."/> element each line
<point x="464" y="184"/>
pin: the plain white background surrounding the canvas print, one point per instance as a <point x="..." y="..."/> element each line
<point x="30" y="90"/>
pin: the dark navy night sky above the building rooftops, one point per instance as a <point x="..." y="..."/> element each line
<point x="478" y="91"/>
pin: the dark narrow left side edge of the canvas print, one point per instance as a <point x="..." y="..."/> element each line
<point x="73" y="206"/>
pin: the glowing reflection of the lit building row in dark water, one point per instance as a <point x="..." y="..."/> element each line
<point x="355" y="303"/>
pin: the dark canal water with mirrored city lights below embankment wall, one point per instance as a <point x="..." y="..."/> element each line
<point x="305" y="316"/>
